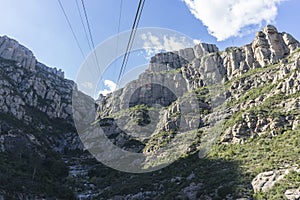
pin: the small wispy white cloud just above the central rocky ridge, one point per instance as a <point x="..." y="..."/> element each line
<point x="164" y="43"/>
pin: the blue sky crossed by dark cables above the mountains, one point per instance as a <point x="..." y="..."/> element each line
<point x="42" y="27"/>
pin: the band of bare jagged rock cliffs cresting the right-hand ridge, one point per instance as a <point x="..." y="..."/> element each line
<point x="268" y="47"/>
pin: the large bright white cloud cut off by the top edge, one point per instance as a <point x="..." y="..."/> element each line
<point x="227" y="18"/>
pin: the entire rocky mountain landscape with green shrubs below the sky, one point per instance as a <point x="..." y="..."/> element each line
<point x="225" y="122"/>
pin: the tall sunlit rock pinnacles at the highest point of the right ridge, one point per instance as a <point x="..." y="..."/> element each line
<point x="268" y="47"/>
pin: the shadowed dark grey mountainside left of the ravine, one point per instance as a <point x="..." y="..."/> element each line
<point x="36" y="124"/>
